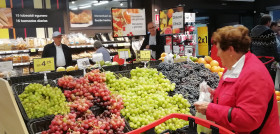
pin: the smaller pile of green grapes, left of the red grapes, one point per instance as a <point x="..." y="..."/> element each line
<point x="39" y="101"/>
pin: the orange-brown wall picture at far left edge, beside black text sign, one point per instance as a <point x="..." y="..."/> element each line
<point x="6" y="20"/>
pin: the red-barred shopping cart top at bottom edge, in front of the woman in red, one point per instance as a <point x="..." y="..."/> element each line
<point x="193" y="121"/>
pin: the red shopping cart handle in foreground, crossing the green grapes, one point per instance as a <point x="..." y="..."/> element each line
<point x="185" y="117"/>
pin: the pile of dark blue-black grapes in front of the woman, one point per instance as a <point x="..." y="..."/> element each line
<point x="187" y="76"/>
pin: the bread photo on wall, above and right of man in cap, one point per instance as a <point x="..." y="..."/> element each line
<point x="81" y="17"/>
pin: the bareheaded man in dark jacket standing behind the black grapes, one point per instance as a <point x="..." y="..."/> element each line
<point x="153" y="41"/>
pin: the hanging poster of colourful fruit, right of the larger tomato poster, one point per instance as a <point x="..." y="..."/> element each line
<point x="171" y="21"/>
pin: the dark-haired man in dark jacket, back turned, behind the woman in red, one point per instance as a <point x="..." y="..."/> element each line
<point x="264" y="41"/>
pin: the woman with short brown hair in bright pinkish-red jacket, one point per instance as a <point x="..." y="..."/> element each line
<point x="245" y="101"/>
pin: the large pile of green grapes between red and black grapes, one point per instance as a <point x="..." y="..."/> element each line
<point x="146" y="99"/>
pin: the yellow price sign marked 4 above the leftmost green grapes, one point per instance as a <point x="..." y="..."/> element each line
<point x="43" y="64"/>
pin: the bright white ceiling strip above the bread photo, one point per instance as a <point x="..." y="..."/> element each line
<point x="89" y="4"/>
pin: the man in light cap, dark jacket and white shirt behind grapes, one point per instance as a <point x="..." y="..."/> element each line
<point x="61" y="52"/>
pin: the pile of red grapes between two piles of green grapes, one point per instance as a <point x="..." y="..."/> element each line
<point x="83" y="93"/>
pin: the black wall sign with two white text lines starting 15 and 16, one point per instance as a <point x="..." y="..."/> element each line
<point x="32" y="18"/>
